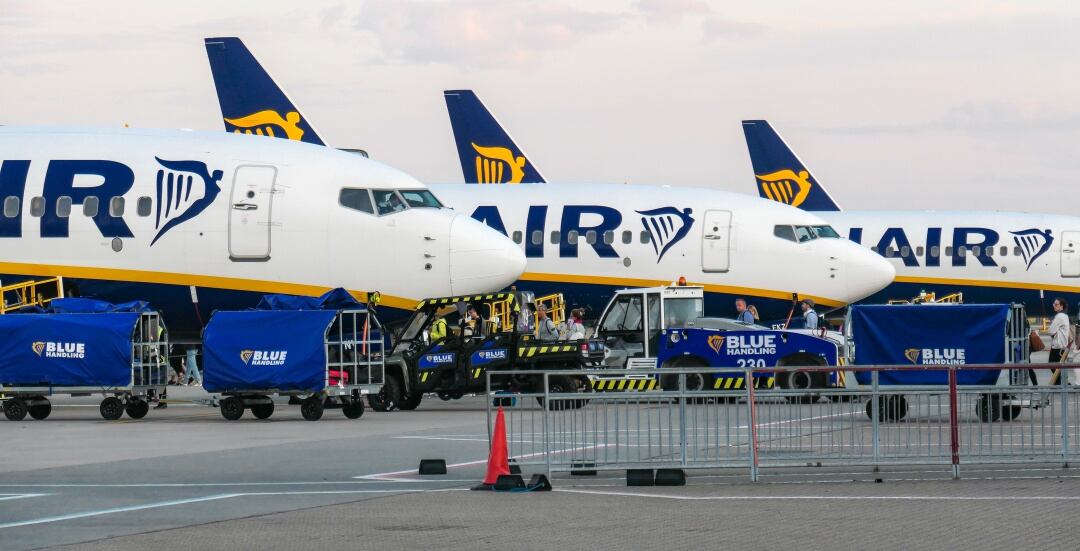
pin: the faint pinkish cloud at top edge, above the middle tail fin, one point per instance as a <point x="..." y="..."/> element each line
<point x="476" y="33"/>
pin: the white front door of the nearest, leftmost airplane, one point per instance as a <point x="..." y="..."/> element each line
<point x="250" y="205"/>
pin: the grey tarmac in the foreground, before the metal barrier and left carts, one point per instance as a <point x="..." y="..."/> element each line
<point x="184" y="477"/>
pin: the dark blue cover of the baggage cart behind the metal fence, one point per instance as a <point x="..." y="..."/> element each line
<point x="929" y="335"/>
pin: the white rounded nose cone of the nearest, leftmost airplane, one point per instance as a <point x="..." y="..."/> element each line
<point x="482" y="260"/>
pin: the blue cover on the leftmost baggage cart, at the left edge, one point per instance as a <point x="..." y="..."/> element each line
<point x="67" y="350"/>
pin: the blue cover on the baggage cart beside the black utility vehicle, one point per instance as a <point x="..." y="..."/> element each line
<point x="264" y="351"/>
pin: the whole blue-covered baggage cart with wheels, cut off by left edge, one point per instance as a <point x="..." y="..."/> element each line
<point x="84" y="347"/>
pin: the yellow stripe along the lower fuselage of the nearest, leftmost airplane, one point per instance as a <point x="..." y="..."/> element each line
<point x="187" y="280"/>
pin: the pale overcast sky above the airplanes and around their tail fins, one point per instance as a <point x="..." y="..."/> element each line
<point x="904" y="105"/>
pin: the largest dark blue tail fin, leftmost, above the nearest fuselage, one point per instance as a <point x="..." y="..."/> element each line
<point x="252" y="103"/>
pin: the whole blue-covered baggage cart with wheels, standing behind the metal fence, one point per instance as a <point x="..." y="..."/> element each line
<point x="946" y="335"/>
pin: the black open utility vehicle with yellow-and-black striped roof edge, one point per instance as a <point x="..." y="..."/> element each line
<point x="457" y="365"/>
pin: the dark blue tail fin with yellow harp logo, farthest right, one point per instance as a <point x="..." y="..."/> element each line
<point x="780" y="174"/>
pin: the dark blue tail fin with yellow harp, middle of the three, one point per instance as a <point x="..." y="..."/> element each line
<point x="489" y="155"/>
